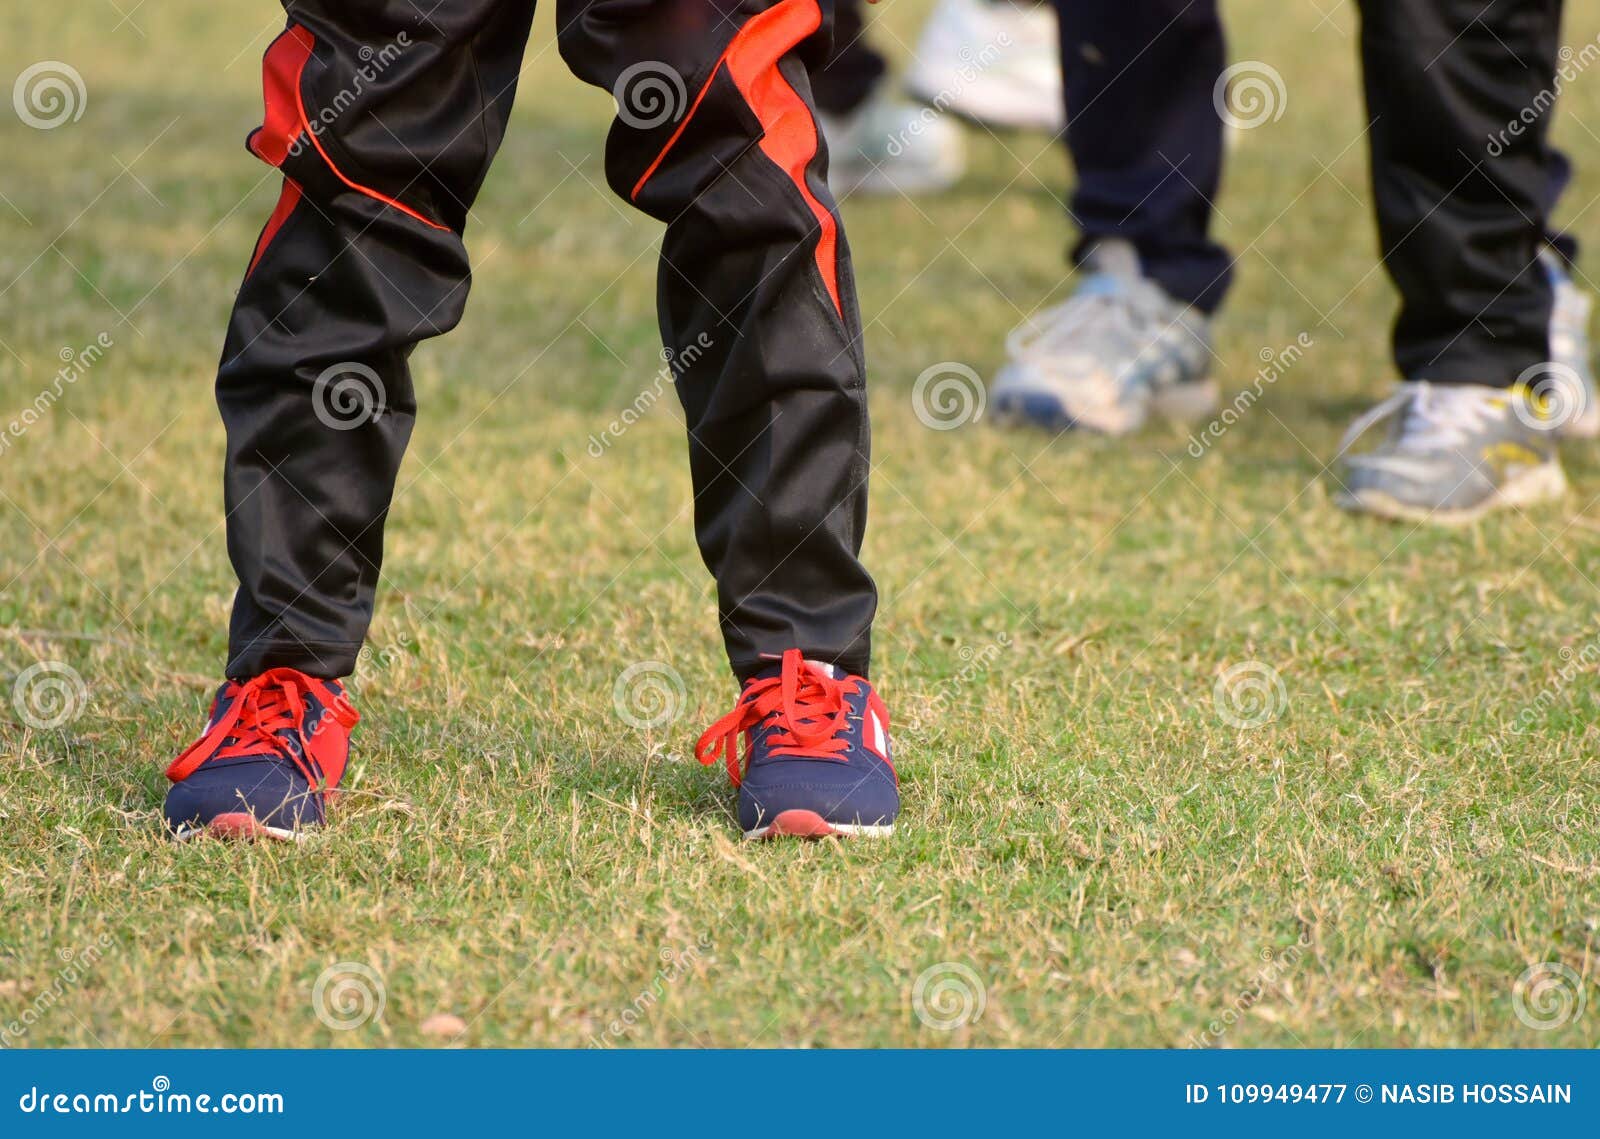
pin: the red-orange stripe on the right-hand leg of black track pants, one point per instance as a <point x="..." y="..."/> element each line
<point x="790" y="134"/>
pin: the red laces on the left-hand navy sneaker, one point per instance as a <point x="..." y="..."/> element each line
<point x="263" y="708"/>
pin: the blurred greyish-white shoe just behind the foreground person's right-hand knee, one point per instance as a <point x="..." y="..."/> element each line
<point x="890" y="146"/>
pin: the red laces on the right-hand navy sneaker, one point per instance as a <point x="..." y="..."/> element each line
<point x="807" y="706"/>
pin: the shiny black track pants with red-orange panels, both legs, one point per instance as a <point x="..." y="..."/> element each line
<point x="385" y="118"/>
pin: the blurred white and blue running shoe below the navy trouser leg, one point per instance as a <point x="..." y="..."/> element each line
<point x="1118" y="351"/>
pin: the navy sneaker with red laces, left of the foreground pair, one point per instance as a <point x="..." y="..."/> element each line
<point x="271" y="757"/>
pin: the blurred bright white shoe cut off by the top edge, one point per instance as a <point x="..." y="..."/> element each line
<point x="993" y="62"/>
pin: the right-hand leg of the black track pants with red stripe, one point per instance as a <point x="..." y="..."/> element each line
<point x="758" y="303"/>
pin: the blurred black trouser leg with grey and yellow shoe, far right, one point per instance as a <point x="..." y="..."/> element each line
<point x="1460" y="100"/>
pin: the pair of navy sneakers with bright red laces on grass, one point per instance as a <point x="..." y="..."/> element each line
<point x="807" y="746"/>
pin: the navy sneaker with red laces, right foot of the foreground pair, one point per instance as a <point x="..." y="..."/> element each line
<point x="817" y="754"/>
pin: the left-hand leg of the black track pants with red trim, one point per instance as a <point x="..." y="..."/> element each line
<point x="385" y="119"/>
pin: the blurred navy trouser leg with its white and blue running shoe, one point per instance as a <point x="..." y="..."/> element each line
<point x="1146" y="145"/>
